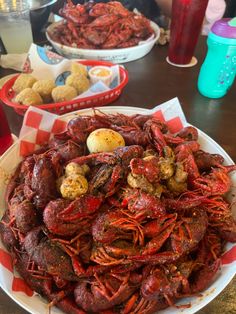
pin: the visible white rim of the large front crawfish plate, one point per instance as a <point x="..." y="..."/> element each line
<point x="37" y="305"/>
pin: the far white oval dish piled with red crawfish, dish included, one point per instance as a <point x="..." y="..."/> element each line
<point x="102" y="31"/>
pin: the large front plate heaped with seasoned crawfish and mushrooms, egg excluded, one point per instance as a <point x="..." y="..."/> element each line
<point x="146" y="233"/>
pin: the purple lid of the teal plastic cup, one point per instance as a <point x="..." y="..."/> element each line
<point x="225" y="28"/>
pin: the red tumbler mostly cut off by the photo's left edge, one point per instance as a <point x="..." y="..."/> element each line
<point x="5" y="133"/>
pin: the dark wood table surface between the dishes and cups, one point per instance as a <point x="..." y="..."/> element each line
<point x="153" y="81"/>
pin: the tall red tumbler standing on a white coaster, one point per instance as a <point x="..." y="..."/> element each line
<point x="186" y="22"/>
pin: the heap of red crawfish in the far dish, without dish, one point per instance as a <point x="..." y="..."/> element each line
<point x="101" y="26"/>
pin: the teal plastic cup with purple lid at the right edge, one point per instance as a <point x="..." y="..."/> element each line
<point x="218" y="70"/>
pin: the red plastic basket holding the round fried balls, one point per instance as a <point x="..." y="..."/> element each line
<point x="101" y="99"/>
